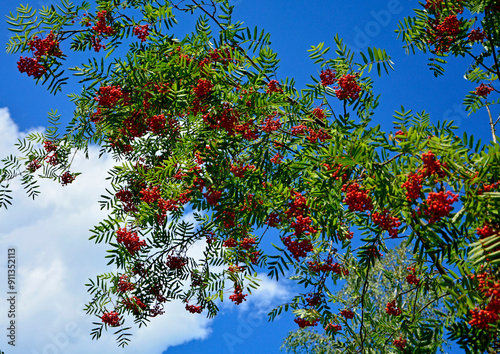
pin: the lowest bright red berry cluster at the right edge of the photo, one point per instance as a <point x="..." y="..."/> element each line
<point x="490" y="289"/>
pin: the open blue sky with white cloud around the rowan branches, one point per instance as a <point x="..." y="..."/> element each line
<point x="55" y="258"/>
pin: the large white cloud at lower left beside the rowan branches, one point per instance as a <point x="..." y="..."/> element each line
<point x="55" y="260"/>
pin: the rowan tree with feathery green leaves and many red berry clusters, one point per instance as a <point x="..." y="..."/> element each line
<point x="203" y="124"/>
